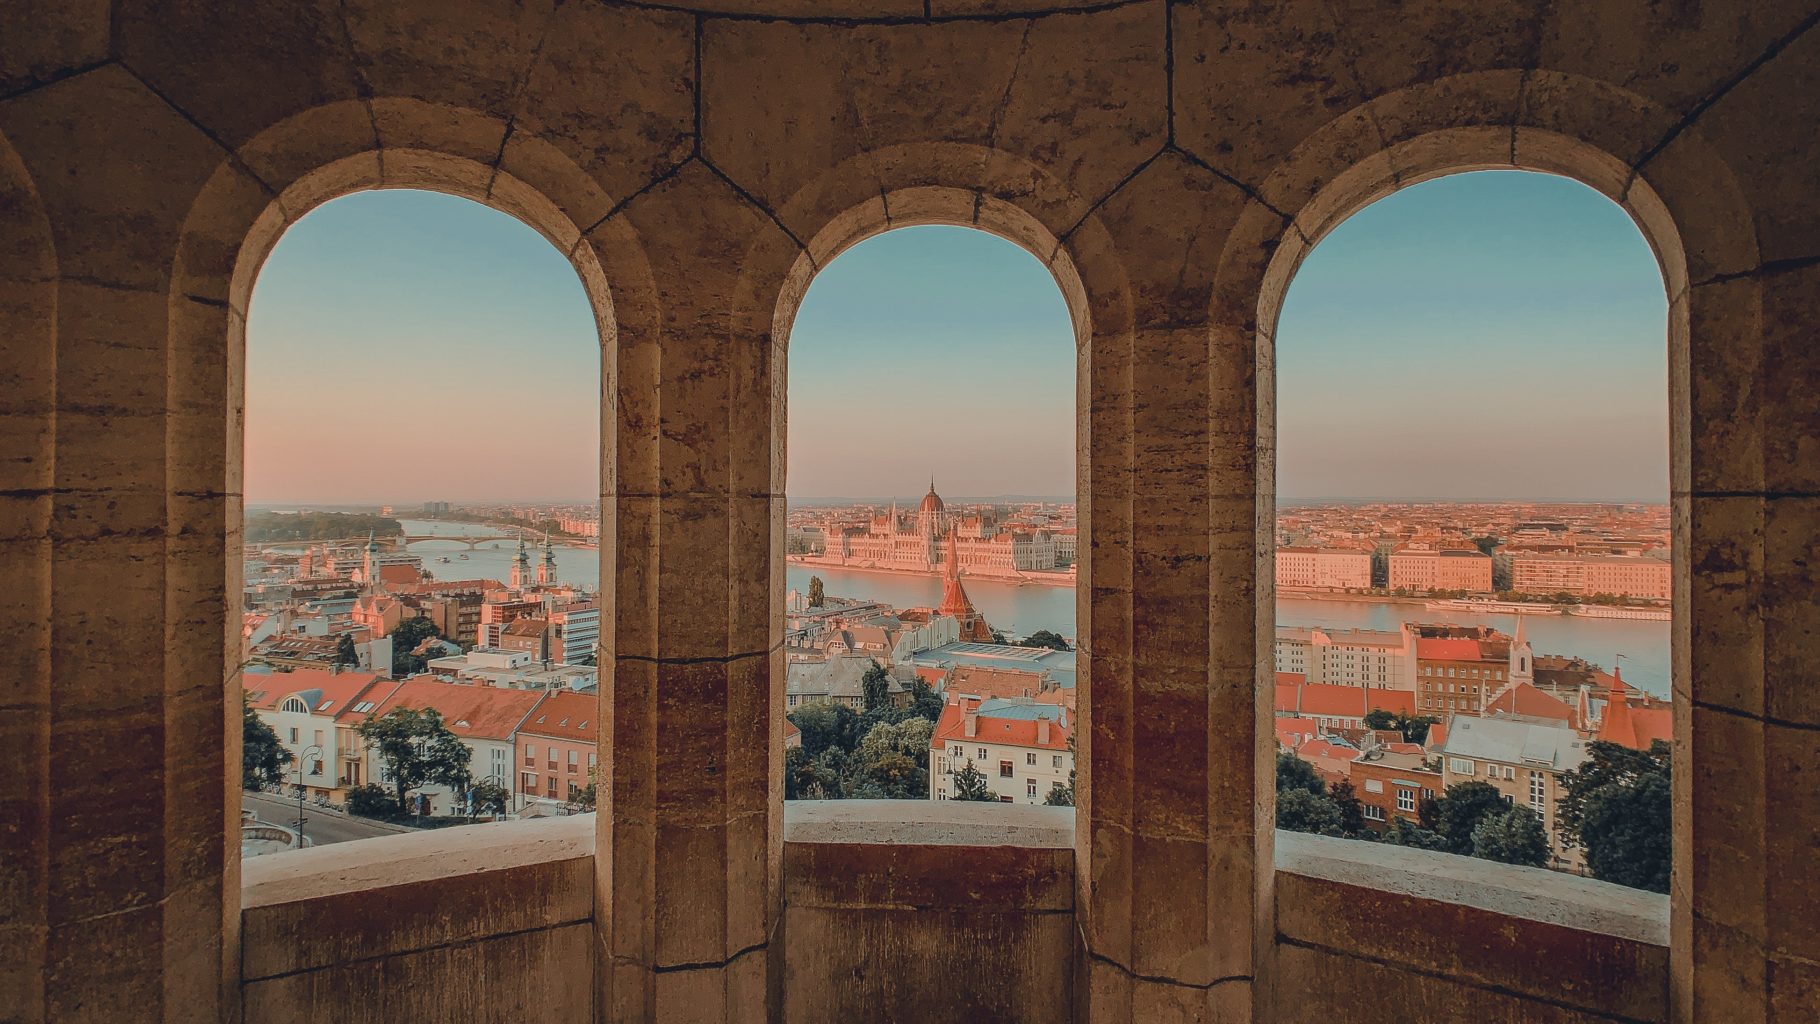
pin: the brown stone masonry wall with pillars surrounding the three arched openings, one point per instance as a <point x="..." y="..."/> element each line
<point x="1169" y="161"/>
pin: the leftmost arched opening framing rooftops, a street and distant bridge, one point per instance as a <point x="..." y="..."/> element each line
<point x="421" y="621"/>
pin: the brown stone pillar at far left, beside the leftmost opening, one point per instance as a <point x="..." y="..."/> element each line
<point x="117" y="747"/>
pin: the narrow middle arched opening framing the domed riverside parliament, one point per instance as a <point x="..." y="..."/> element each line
<point x="933" y="537"/>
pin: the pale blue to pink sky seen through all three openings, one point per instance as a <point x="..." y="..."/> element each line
<point x="1490" y="336"/>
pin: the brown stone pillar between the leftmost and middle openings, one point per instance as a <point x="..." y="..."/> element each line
<point x="691" y="854"/>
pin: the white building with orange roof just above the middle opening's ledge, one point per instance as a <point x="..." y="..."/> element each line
<point x="1022" y="748"/>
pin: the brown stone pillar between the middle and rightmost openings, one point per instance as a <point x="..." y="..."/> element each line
<point x="1173" y="847"/>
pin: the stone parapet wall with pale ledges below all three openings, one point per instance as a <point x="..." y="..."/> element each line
<point x="927" y="912"/>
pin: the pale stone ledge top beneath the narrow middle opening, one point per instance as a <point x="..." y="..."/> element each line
<point x="927" y="823"/>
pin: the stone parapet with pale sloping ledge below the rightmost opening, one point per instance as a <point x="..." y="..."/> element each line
<point x="1475" y="936"/>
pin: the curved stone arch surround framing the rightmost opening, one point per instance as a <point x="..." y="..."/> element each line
<point x="1697" y="221"/>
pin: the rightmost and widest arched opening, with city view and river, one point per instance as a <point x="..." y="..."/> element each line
<point x="1473" y="528"/>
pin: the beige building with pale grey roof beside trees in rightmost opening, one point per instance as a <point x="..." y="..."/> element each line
<point x="1524" y="759"/>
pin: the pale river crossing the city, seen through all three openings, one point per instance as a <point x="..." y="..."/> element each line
<point x="1026" y="608"/>
